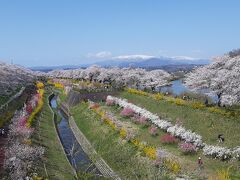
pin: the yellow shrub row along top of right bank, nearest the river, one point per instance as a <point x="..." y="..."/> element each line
<point x="181" y="102"/>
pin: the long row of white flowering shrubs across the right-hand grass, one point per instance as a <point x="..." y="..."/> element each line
<point x="193" y="141"/>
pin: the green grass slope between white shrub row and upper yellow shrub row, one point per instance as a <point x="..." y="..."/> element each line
<point x="205" y="123"/>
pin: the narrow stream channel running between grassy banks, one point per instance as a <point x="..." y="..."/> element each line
<point x="76" y="156"/>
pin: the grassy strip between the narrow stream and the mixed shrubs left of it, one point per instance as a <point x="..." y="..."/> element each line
<point x="56" y="164"/>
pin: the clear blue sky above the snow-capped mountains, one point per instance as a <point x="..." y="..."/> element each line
<point x="59" y="32"/>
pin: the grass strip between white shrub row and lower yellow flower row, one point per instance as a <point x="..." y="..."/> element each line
<point x="188" y="162"/>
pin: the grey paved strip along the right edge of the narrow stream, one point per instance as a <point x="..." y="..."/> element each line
<point x="90" y="151"/>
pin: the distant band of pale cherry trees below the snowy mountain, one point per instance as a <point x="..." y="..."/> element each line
<point x="118" y="77"/>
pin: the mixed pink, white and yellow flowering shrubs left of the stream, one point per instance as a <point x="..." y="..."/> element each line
<point x="21" y="155"/>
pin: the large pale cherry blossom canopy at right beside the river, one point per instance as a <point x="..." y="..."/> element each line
<point x="221" y="78"/>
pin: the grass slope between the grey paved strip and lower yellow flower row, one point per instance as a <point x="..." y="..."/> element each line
<point x="121" y="156"/>
